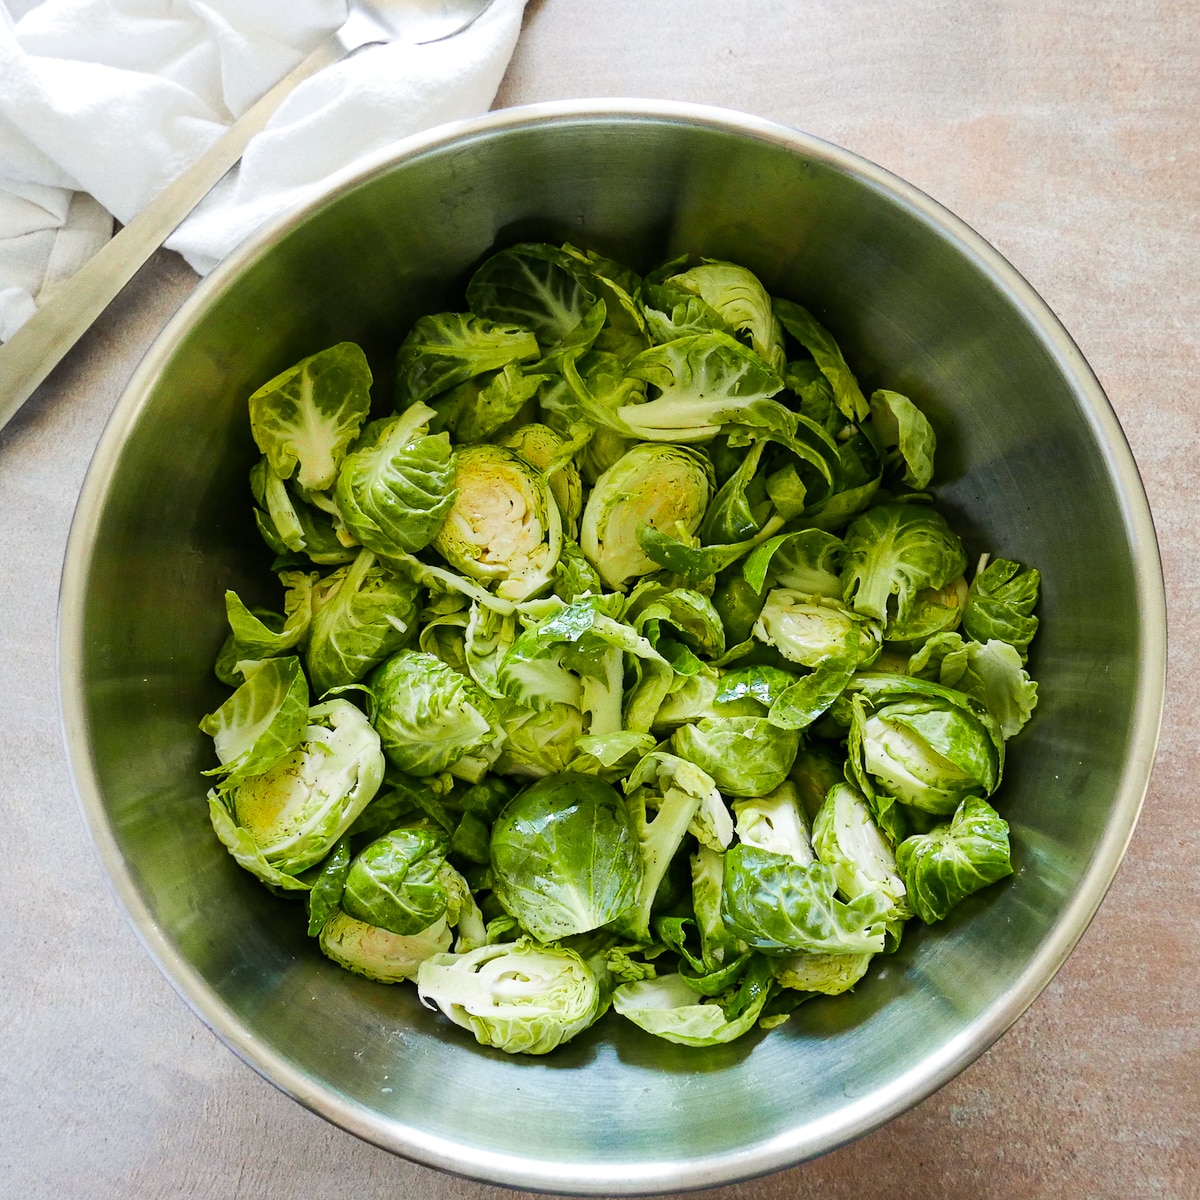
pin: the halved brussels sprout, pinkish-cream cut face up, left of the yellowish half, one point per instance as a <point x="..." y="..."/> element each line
<point x="505" y="526"/>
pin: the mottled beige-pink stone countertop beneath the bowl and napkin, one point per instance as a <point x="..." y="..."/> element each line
<point x="1069" y="135"/>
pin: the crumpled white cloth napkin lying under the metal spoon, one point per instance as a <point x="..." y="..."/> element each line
<point x="104" y="103"/>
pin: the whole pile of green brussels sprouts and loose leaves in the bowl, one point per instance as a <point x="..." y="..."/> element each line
<point x="627" y="664"/>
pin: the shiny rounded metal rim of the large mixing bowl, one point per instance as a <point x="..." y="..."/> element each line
<point x="813" y="1138"/>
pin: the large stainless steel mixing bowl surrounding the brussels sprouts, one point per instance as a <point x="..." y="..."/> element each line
<point x="1034" y="467"/>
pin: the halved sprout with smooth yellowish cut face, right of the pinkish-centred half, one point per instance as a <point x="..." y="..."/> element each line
<point x="667" y="488"/>
